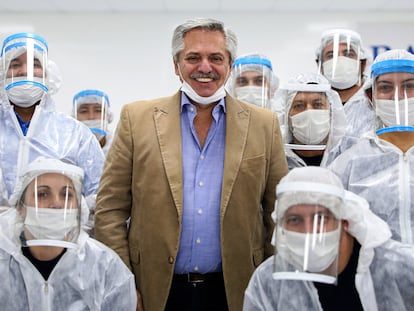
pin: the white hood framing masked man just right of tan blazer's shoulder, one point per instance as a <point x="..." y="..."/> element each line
<point x="312" y="82"/>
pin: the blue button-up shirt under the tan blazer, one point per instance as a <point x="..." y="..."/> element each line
<point x="200" y="249"/>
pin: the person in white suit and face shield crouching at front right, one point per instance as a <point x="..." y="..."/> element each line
<point x="331" y="252"/>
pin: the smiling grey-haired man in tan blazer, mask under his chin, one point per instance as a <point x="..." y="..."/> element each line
<point x="194" y="175"/>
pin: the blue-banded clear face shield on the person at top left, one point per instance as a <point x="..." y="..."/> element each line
<point x="24" y="60"/>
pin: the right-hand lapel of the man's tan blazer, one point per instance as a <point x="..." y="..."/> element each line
<point x="237" y="123"/>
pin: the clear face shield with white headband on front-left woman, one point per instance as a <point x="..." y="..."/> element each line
<point x="49" y="204"/>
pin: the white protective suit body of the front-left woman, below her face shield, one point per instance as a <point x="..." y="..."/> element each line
<point x="89" y="277"/>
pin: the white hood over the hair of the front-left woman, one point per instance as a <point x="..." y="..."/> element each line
<point x="42" y="166"/>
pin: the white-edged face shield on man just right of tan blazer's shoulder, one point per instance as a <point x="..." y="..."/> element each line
<point x="308" y="116"/>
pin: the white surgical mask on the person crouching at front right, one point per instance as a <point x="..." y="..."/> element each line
<point x="306" y="251"/>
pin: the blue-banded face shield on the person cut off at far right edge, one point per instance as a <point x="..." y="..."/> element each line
<point x="393" y="95"/>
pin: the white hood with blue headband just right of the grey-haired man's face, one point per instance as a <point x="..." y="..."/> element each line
<point x="255" y="62"/>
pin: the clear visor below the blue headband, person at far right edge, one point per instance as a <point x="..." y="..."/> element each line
<point x="393" y="96"/>
